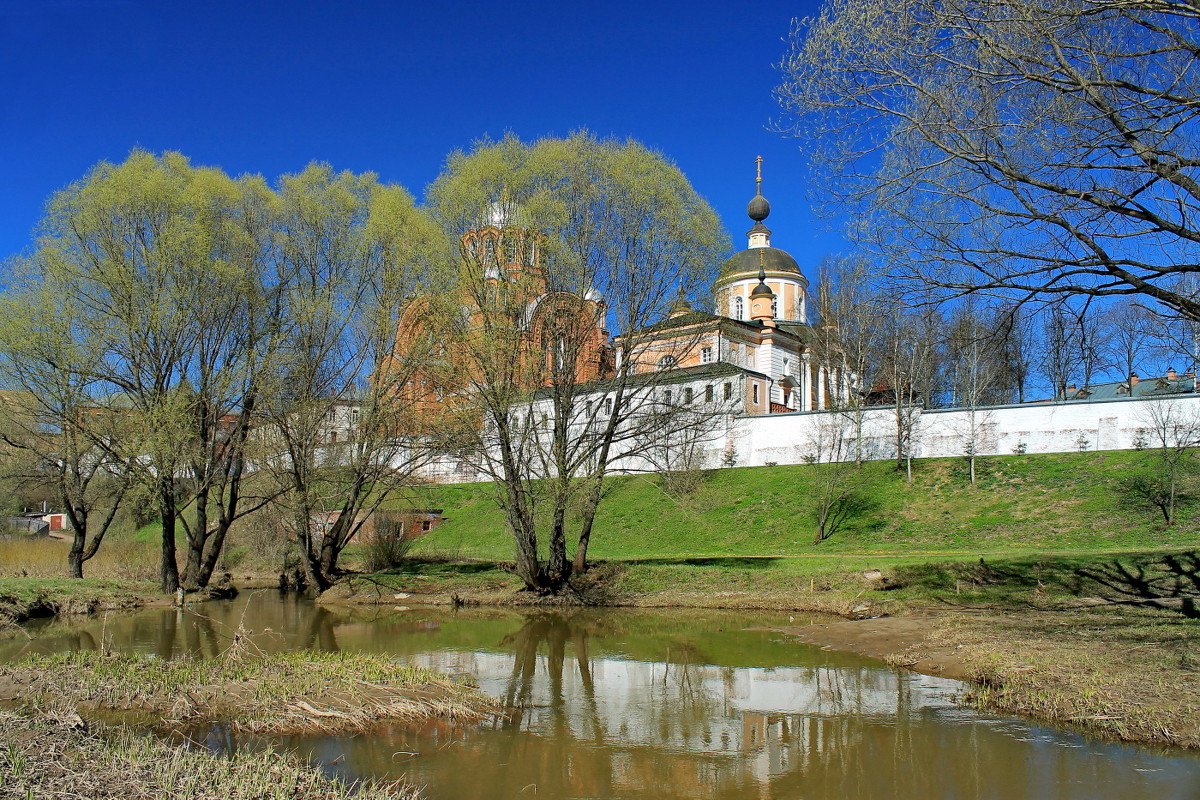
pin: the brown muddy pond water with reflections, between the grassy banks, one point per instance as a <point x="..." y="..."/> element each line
<point x="671" y="705"/>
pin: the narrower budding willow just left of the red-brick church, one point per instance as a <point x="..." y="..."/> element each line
<point x="340" y="437"/>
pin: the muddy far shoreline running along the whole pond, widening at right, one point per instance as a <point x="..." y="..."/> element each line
<point x="1051" y="664"/>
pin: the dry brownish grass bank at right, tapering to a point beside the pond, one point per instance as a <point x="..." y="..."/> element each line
<point x="1127" y="673"/>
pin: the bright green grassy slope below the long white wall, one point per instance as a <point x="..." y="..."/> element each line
<point x="1067" y="502"/>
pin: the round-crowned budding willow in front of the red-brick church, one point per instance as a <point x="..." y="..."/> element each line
<point x="566" y="242"/>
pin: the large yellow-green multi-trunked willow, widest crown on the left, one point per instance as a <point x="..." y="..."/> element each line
<point x="166" y="273"/>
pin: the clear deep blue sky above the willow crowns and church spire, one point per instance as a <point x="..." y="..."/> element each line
<point x="267" y="87"/>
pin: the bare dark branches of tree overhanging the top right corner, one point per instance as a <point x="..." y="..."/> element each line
<point x="1015" y="147"/>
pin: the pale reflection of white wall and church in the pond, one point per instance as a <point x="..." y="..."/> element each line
<point x="783" y="719"/>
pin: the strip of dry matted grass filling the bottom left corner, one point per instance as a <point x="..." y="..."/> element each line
<point x="56" y="756"/>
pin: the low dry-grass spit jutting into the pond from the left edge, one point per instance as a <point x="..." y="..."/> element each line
<point x="278" y="694"/>
